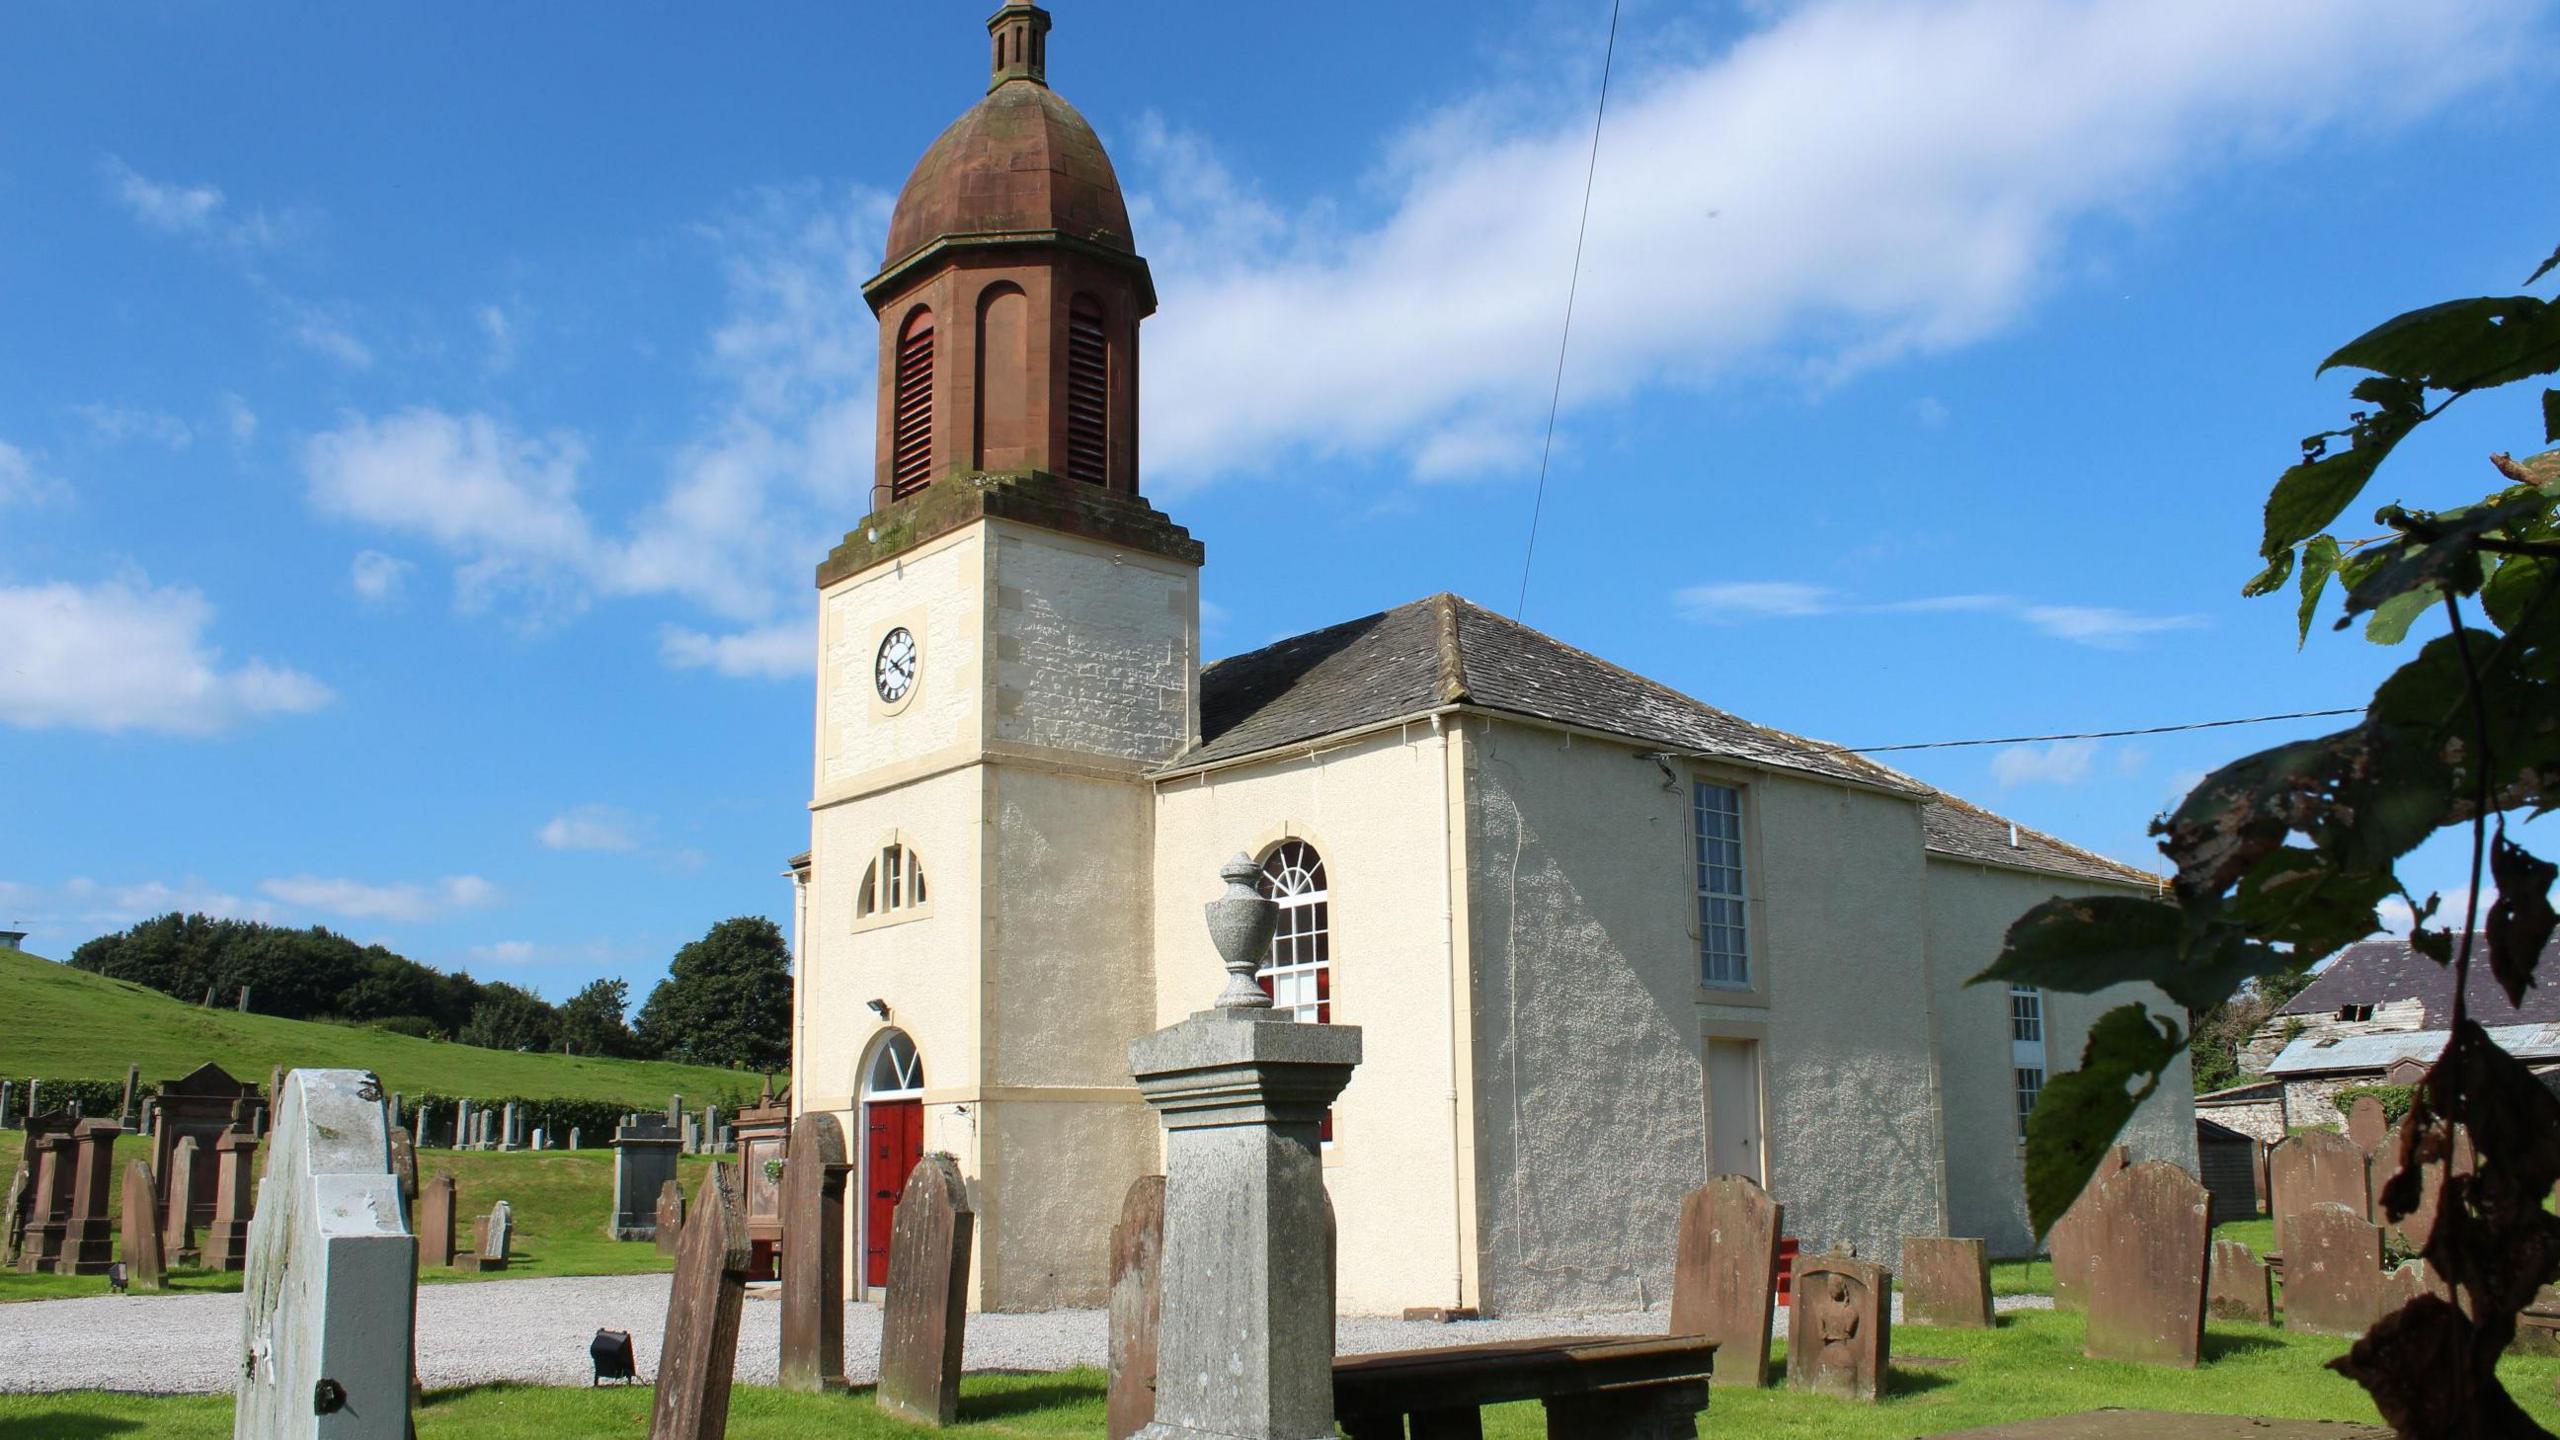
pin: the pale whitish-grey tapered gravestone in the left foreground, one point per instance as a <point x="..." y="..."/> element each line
<point x="332" y="1272"/>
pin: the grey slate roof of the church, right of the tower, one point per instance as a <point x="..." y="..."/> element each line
<point x="1448" y="652"/>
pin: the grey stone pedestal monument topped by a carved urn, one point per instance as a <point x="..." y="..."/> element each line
<point x="1245" y="1339"/>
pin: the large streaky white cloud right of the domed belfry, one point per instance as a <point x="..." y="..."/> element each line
<point x="1852" y="183"/>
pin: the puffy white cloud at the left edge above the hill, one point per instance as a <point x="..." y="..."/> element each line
<point x="132" y="657"/>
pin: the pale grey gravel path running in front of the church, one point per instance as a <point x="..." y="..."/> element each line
<point x="539" y="1331"/>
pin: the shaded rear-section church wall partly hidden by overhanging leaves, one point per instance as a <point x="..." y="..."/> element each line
<point x="1970" y="911"/>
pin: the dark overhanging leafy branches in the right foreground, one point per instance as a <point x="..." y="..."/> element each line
<point x="2285" y="857"/>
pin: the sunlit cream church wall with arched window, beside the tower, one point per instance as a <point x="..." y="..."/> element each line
<point x="1376" y="811"/>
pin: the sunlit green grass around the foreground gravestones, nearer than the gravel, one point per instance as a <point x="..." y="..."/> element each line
<point x="2026" y="1370"/>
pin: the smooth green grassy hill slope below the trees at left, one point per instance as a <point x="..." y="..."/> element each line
<point x="68" y="1024"/>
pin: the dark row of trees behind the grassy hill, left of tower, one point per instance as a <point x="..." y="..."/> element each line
<point x="723" y="1003"/>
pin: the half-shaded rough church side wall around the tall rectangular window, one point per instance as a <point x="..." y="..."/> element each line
<point x="1591" y="1019"/>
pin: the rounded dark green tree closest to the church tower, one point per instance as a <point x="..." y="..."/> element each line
<point x="726" y="1001"/>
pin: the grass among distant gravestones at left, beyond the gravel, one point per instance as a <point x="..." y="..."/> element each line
<point x="559" y="1200"/>
